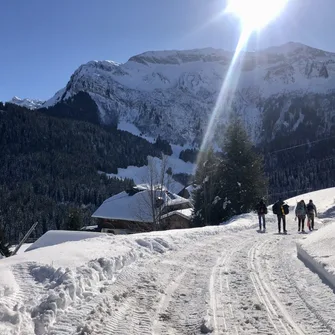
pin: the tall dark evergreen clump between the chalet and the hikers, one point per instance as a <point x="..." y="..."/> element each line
<point x="229" y="183"/>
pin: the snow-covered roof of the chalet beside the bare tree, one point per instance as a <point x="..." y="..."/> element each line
<point x="134" y="205"/>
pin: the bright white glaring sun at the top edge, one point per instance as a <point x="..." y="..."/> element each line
<point x="255" y="14"/>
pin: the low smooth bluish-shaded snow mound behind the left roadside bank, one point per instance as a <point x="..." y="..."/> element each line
<point x="53" y="237"/>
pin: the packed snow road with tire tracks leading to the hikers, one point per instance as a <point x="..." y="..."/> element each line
<point x="231" y="283"/>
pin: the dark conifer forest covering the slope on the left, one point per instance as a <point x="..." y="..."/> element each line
<point x="53" y="167"/>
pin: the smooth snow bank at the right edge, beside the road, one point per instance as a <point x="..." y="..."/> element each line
<point x="317" y="251"/>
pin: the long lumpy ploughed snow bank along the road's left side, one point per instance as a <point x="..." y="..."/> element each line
<point x="37" y="287"/>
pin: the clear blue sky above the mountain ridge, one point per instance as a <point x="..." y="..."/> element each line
<point x="44" y="41"/>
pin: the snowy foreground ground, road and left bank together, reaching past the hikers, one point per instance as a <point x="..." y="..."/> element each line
<point x="224" y="280"/>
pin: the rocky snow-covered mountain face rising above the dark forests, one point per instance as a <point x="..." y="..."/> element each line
<point x="172" y="93"/>
